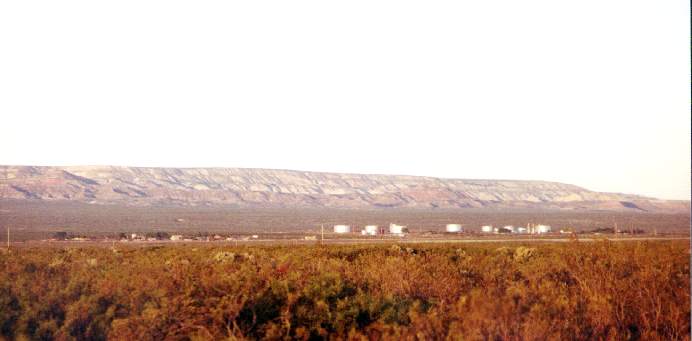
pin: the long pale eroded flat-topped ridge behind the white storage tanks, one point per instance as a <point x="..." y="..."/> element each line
<point x="284" y="188"/>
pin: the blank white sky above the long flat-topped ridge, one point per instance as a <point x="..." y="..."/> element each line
<point x="593" y="93"/>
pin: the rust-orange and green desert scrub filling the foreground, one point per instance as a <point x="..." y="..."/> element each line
<point x="512" y="291"/>
